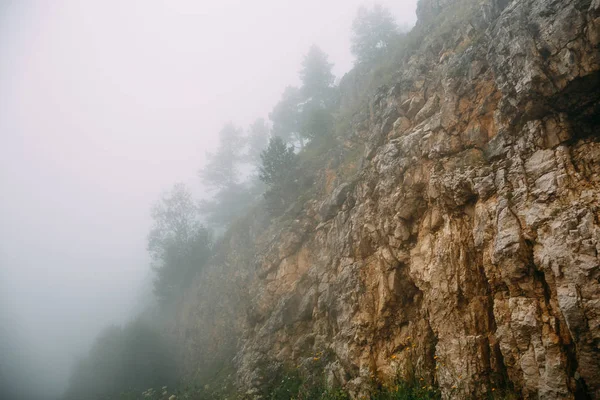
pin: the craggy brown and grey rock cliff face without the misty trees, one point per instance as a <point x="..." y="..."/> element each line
<point x="462" y="247"/>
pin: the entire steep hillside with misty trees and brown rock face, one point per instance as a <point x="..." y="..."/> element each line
<point x="427" y="227"/>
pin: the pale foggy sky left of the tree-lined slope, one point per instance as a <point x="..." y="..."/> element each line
<point x="103" y="104"/>
